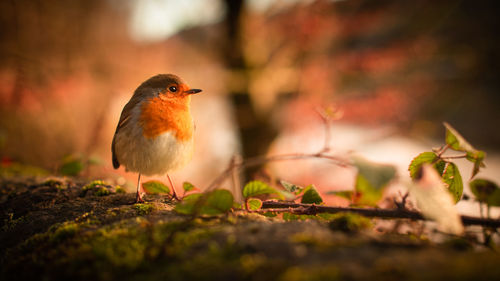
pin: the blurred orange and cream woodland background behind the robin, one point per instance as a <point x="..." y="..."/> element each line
<point x="394" y="69"/>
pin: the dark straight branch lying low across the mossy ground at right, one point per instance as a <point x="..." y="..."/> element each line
<point x="311" y="209"/>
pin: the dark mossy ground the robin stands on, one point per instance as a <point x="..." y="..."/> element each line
<point x="56" y="229"/>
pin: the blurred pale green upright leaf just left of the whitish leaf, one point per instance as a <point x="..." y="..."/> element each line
<point x="377" y="175"/>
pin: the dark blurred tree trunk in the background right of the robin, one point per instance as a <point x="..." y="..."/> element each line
<point x="256" y="132"/>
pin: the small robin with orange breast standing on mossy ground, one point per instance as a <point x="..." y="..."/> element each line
<point x="155" y="131"/>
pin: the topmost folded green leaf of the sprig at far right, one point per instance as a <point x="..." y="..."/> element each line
<point x="458" y="142"/>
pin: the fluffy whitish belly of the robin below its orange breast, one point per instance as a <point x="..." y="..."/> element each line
<point x="151" y="156"/>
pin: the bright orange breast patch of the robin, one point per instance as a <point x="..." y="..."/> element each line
<point x="162" y="115"/>
